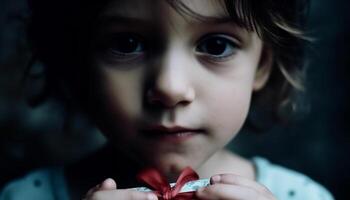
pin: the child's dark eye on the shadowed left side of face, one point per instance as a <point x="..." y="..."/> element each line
<point x="124" y="46"/>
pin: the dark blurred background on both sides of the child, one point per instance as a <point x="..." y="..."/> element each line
<point x="317" y="144"/>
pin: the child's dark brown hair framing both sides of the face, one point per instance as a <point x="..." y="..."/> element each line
<point x="60" y="28"/>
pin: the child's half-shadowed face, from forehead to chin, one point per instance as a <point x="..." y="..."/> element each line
<point x="159" y="69"/>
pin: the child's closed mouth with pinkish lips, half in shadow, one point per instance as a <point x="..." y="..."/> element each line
<point x="175" y="134"/>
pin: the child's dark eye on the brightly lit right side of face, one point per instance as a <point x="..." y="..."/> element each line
<point x="217" y="46"/>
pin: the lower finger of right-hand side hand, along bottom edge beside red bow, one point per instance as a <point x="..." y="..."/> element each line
<point x="232" y="192"/>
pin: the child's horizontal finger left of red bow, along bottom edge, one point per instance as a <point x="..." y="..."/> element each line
<point x="123" y="194"/>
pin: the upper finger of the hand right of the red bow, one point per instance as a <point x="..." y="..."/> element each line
<point x="233" y="179"/>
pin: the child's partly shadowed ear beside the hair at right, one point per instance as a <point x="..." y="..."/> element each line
<point x="264" y="69"/>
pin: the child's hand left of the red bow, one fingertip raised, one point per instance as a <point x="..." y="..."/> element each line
<point x="107" y="190"/>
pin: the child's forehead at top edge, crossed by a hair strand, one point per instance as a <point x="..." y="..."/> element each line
<point x="151" y="9"/>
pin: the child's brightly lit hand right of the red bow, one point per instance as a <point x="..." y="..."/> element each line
<point x="229" y="186"/>
